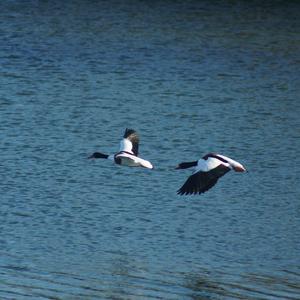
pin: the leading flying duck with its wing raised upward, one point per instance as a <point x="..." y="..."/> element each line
<point x="128" y="153"/>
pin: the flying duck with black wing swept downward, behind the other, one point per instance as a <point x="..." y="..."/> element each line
<point x="208" y="170"/>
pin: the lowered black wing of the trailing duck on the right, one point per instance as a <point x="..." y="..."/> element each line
<point x="201" y="182"/>
